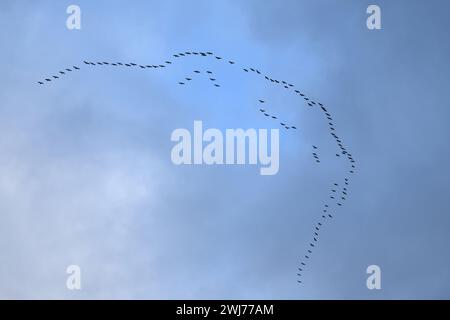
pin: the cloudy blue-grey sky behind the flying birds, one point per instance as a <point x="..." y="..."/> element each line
<point x="86" y="176"/>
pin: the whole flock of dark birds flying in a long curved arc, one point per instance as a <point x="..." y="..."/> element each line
<point x="338" y="190"/>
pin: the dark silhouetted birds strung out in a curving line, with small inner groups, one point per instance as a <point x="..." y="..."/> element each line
<point x="326" y="213"/>
